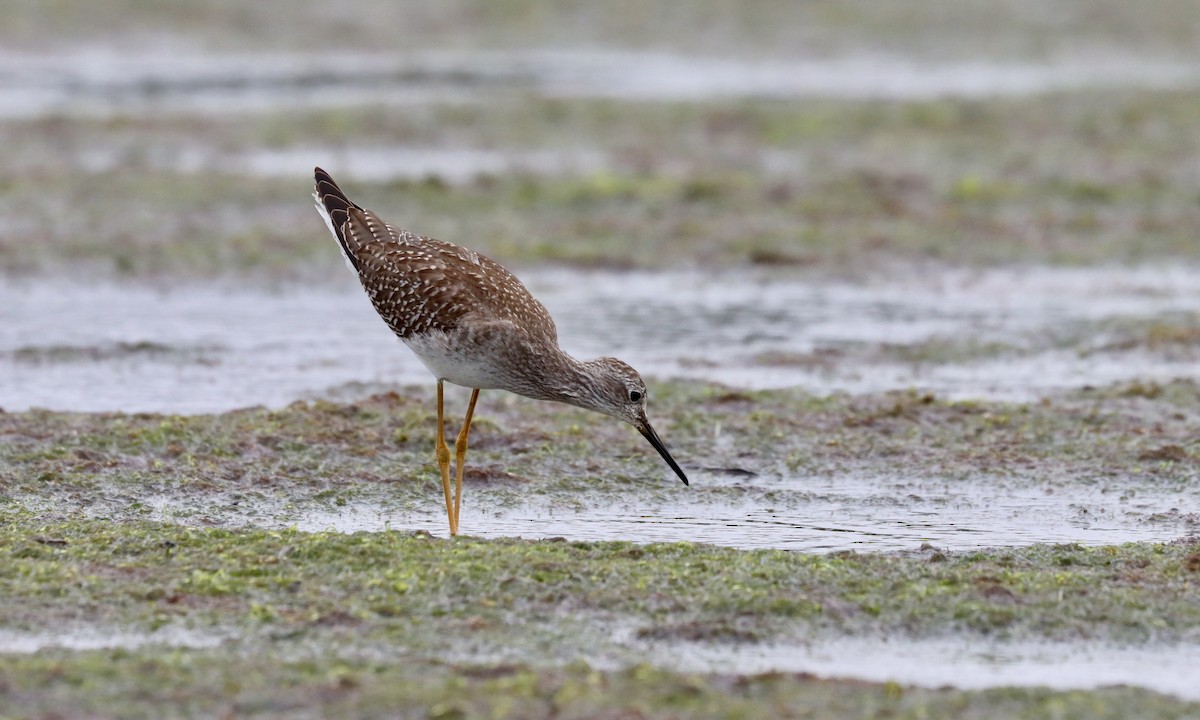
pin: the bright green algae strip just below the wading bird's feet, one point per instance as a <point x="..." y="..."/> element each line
<point x="415" y="589"/>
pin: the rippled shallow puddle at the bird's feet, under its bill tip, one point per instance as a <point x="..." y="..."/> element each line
<point x="884" y="514"/>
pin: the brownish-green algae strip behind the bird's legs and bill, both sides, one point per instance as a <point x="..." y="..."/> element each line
<point x="381" y="447"/>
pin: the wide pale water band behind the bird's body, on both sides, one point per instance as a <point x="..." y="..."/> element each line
<point x="212" y="349"/>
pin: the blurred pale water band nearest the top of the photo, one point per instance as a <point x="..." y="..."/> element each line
<point x="105" y="82"/>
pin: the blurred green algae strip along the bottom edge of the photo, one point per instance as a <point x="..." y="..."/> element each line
<point x="154" y="685"/>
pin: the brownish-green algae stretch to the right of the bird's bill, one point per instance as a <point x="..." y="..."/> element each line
<point x="1087" y="436"/>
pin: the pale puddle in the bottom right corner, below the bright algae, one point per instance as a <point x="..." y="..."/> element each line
<point x="953" y="663"/>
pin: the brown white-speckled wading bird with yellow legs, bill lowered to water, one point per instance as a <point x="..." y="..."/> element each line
<point x="473" y="323"/>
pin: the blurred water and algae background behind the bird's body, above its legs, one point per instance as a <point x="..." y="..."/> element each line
<point x="977" y="197"/>
